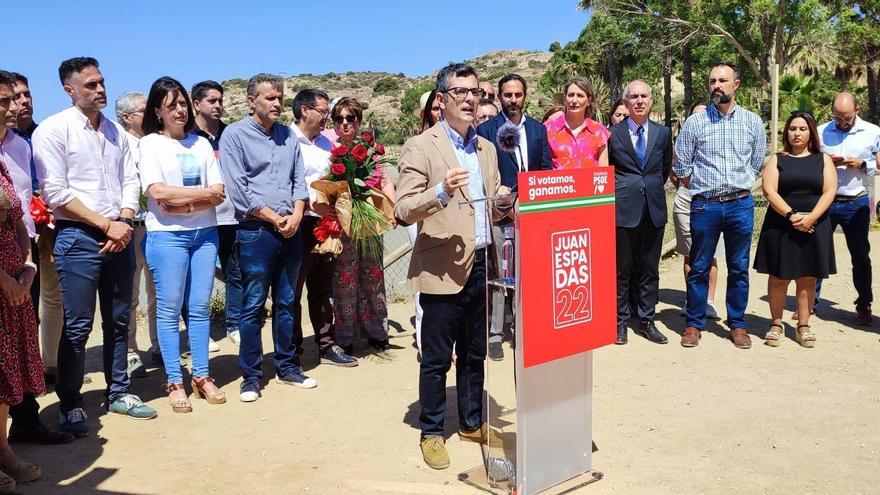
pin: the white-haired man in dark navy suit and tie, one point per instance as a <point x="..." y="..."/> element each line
<point x="641" y="153"/>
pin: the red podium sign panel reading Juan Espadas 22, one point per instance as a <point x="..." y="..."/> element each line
<point x="568" y="272"/>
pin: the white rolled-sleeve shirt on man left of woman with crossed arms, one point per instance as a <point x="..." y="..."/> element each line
<point x="73" y="160"/>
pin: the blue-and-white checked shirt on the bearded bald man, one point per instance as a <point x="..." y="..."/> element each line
<point x="722" y="154"/>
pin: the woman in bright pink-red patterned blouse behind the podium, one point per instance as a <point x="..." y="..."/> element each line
<point x="576" y="140"/>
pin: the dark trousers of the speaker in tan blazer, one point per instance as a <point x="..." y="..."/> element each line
<point x="460" y="320"/>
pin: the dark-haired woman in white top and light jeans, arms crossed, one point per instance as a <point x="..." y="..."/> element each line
<point x="183" y="184"/>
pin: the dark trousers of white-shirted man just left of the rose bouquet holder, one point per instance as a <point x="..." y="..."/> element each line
<point x="316" y="274"/>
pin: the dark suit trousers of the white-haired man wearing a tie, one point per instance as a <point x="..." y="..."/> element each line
<point x="638" y="263"/>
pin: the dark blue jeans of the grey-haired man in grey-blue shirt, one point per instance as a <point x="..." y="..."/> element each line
<point x="265" y="259"/>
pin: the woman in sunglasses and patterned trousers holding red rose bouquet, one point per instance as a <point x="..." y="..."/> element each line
<point x="359" y="282"/>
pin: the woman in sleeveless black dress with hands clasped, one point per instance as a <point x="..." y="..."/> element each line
<point x="796" y="238"/>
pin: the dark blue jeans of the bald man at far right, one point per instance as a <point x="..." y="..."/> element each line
<point x="854" y="217"/>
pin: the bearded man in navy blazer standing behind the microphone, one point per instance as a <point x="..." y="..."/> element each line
<point x="533" y="154"/>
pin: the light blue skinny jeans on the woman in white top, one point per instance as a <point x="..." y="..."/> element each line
<point x="182" y="264"/>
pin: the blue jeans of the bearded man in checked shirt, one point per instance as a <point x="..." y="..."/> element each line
<point x="736" y="220"/>
